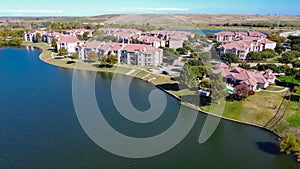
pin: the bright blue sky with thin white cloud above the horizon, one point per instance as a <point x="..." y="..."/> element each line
<point x="98" y="7"/>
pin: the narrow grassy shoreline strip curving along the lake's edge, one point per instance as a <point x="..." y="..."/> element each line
<point x="43" y="57"/>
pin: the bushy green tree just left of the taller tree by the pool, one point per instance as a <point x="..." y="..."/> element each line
<point x="187" y="77"/>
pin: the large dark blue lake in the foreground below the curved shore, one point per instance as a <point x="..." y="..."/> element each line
<point x="40" y="129"/>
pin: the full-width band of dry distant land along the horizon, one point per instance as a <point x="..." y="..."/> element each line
<point x="170" y="21"/>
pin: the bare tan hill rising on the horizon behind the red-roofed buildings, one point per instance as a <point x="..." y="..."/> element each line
<point x="191" y="20"/>
